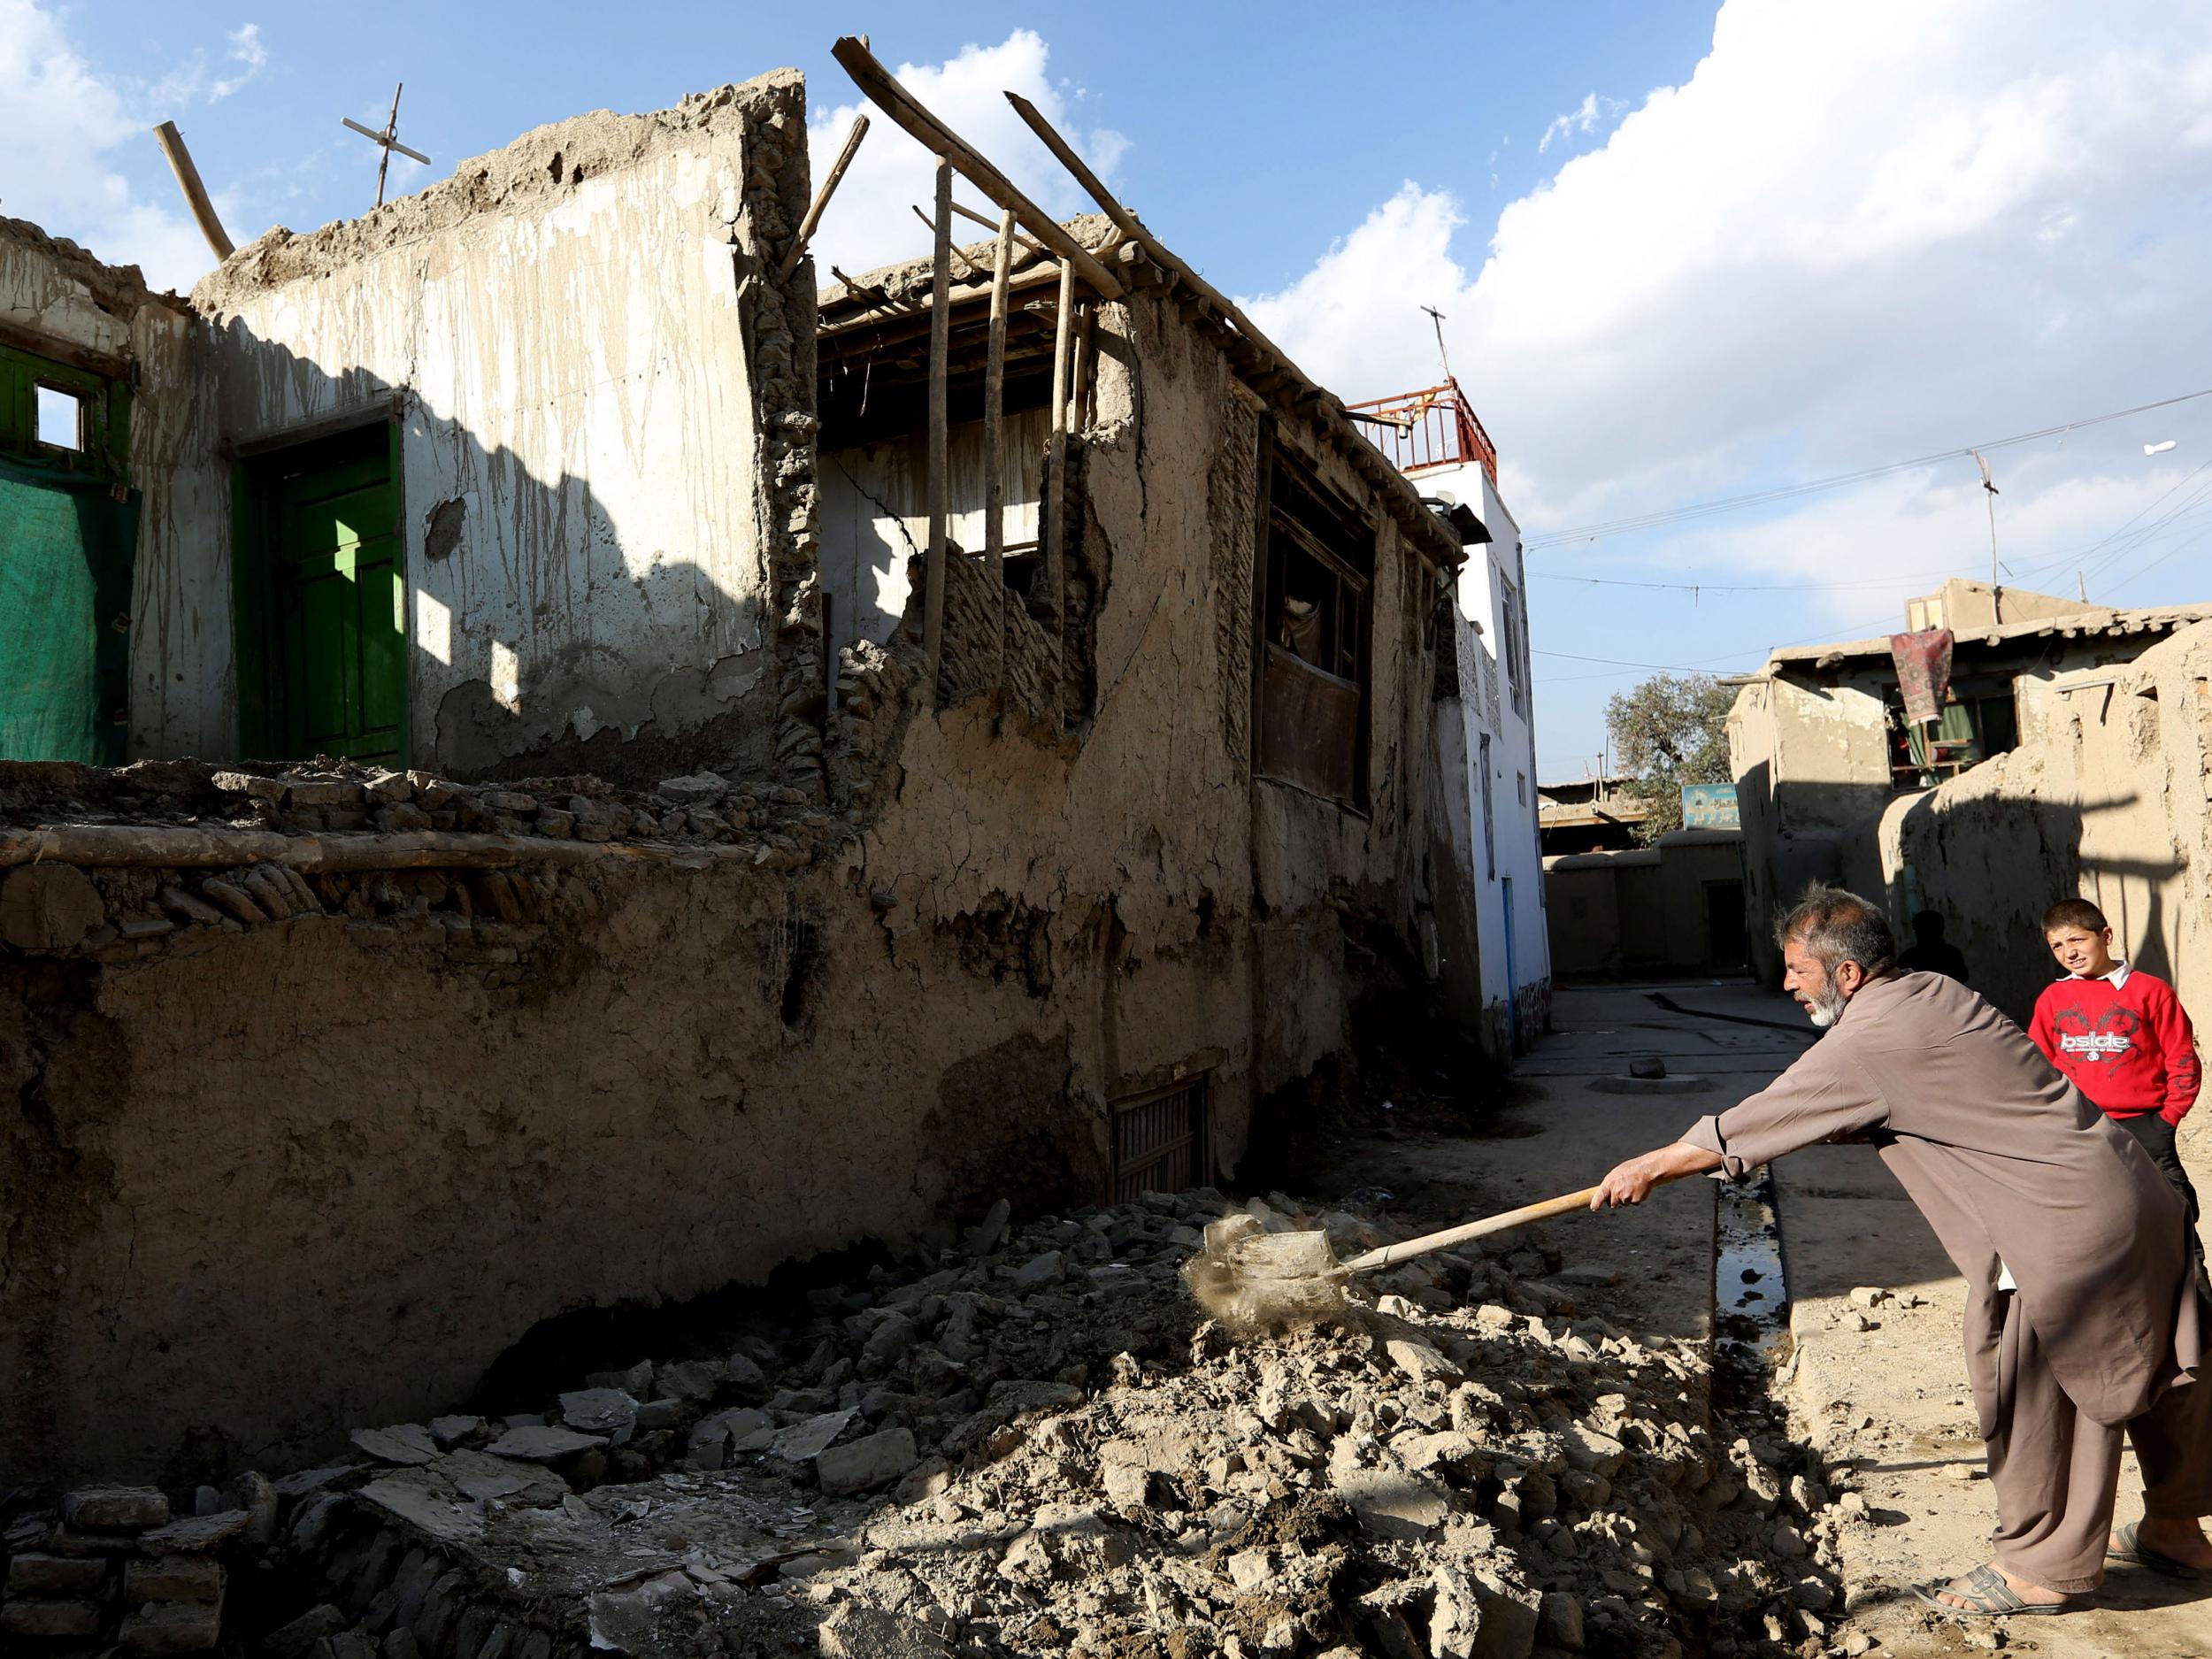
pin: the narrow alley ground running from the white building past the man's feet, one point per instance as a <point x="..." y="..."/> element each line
<point x="1872" y="1375"/>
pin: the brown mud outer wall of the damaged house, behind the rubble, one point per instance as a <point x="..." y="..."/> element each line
<point x="324" y="1171"/>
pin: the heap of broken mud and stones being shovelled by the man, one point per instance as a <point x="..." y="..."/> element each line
<point x="1032" y="1446"/>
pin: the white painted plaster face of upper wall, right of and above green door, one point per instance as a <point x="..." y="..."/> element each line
<point x="581" y="382"/>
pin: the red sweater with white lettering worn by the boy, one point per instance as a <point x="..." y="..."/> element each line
<point x="2129" y="1047"/>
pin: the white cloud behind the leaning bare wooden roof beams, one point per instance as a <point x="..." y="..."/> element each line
<point x="870" y="222"/>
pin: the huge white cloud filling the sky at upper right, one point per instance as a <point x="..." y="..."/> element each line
<point x="1855" y="233"/>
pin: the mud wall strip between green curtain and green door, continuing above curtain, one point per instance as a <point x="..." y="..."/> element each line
<point x="56" y="300"/>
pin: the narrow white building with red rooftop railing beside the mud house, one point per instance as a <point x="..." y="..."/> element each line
<point x="1488" y="729"/>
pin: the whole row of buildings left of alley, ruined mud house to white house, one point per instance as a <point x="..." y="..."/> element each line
<point x="554" y="769"/>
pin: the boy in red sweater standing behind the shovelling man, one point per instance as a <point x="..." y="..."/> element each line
<point x="2120" y="1036"/>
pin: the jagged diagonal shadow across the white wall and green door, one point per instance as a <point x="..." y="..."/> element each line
<point x="510" y="627"/>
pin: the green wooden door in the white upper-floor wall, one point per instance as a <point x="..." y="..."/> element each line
<point x="340" y="612"/>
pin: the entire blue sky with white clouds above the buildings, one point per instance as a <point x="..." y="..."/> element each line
<point x="1687" y="251"/>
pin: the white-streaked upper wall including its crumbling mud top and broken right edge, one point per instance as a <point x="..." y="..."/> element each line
<point x="596" y="382"/>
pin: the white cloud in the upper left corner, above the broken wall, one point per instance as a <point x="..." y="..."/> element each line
<point x="61" y="123"/>
